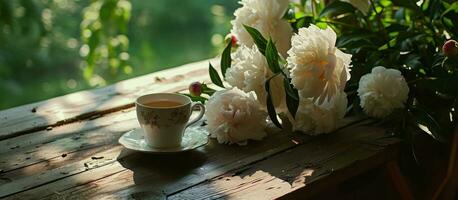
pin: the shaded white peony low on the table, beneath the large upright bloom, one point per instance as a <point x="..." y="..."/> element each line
<point x="316" y="119"/>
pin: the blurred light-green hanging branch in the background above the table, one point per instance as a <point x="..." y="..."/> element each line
<point x="103" y="31"/>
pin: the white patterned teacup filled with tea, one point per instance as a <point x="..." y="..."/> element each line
<point x="164" y="118"/>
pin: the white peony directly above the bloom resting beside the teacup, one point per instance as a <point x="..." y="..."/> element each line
<point x="249" y="72"/>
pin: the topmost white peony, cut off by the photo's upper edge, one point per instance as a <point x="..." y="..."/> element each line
<point x="266" y="17"/>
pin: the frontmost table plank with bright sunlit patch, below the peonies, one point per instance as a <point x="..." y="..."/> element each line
<point x="357" y="149"/>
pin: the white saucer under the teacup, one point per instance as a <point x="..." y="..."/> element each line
<point x="194" y="137"/>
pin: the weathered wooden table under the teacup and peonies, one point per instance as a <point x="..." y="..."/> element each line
<point x="66" y="148"/>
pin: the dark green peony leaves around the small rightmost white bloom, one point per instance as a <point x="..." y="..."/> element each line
<point x="400" y="34"/>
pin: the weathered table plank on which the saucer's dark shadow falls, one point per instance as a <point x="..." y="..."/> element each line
<point x="152" y="174"/>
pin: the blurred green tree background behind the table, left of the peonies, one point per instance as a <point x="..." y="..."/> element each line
<point x="53" y="47"/>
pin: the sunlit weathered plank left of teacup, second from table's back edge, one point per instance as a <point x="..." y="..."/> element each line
<point x="66" y="156"/>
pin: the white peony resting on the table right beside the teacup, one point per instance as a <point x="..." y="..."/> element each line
<point x="234" y="116"/>
